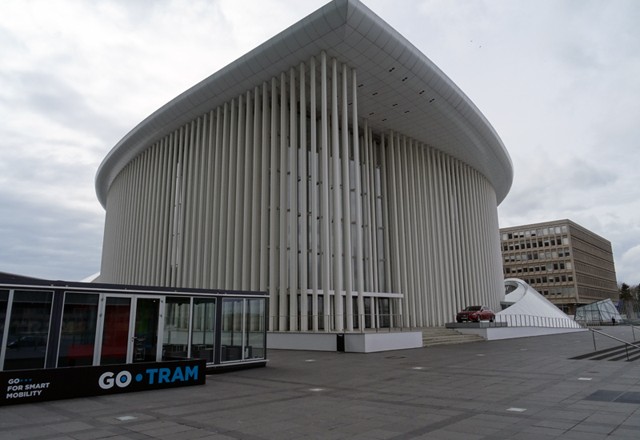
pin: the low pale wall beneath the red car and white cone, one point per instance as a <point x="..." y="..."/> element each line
<point x="499" y="330"/>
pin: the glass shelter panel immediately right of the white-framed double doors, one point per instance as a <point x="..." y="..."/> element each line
<point x="176" y="328"/>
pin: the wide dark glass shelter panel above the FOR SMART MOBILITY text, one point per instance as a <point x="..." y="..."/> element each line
<point x="28" y="330"/>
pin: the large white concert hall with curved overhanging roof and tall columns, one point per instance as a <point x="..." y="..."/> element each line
<point x="334" y="166"/>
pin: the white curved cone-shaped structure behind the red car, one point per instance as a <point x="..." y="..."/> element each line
<point x="530" y="308"/>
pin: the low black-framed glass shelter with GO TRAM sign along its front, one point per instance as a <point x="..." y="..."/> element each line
<point x="48" y="328"/>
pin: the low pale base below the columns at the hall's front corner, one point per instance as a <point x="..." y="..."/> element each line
<point x="347" y="342"/>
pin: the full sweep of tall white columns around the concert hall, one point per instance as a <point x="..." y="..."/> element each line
<point x="281" y="189"/>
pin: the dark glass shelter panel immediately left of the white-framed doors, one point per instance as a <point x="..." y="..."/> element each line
<point x="78" y="333"/>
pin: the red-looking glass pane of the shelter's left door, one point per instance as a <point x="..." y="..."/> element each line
<point x="115" y="336"/>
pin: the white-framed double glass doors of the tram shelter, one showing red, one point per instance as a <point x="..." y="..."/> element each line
<point x="129" y="328"/>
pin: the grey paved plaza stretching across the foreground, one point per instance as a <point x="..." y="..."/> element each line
<point x="526" y="388"/>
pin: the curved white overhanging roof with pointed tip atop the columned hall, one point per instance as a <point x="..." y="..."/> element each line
<point x="399" y="89"/>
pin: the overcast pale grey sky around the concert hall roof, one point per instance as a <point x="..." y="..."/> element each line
<point x="559" y="80"/>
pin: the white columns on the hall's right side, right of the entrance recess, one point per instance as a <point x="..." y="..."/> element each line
<point x="443" y="230"/>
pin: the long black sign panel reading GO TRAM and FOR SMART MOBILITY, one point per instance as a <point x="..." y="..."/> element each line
<point x="23" y="386"/>
